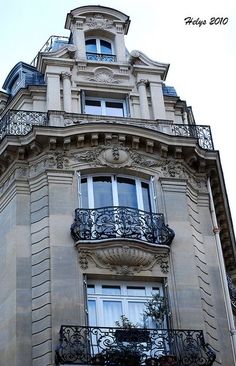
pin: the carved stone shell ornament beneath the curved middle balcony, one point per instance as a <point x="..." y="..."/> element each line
<point x="126" y="260"/>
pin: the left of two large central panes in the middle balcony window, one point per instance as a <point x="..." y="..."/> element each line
<point x="102" y="190"/>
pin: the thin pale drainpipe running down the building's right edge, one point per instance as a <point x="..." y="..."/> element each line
<point x="223" y="277"/>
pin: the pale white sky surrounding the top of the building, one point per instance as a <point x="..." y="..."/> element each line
<point x="202" y="59"/>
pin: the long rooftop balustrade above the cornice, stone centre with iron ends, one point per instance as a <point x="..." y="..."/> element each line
<point x="21" y="122"/>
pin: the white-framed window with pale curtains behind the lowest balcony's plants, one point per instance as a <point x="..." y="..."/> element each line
<point x="107" y="301"/>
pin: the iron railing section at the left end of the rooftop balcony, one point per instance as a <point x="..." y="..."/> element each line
<point x="21" y="122"/>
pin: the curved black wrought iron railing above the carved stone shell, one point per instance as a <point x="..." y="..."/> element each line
<point x="120" y="222"/>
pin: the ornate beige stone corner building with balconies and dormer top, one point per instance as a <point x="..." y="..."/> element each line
<point x="110" y="193"/>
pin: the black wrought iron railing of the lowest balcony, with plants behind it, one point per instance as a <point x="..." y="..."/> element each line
<point x="132" y="347"/>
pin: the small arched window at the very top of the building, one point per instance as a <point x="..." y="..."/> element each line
<point x="99" y="50"/>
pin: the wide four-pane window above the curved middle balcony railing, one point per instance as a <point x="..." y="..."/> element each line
<point x="103" y="190"/>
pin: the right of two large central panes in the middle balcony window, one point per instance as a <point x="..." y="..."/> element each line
<point x="127" y="192"/>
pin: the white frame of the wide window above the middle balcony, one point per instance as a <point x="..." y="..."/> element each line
<point x="138" y="186"/>
